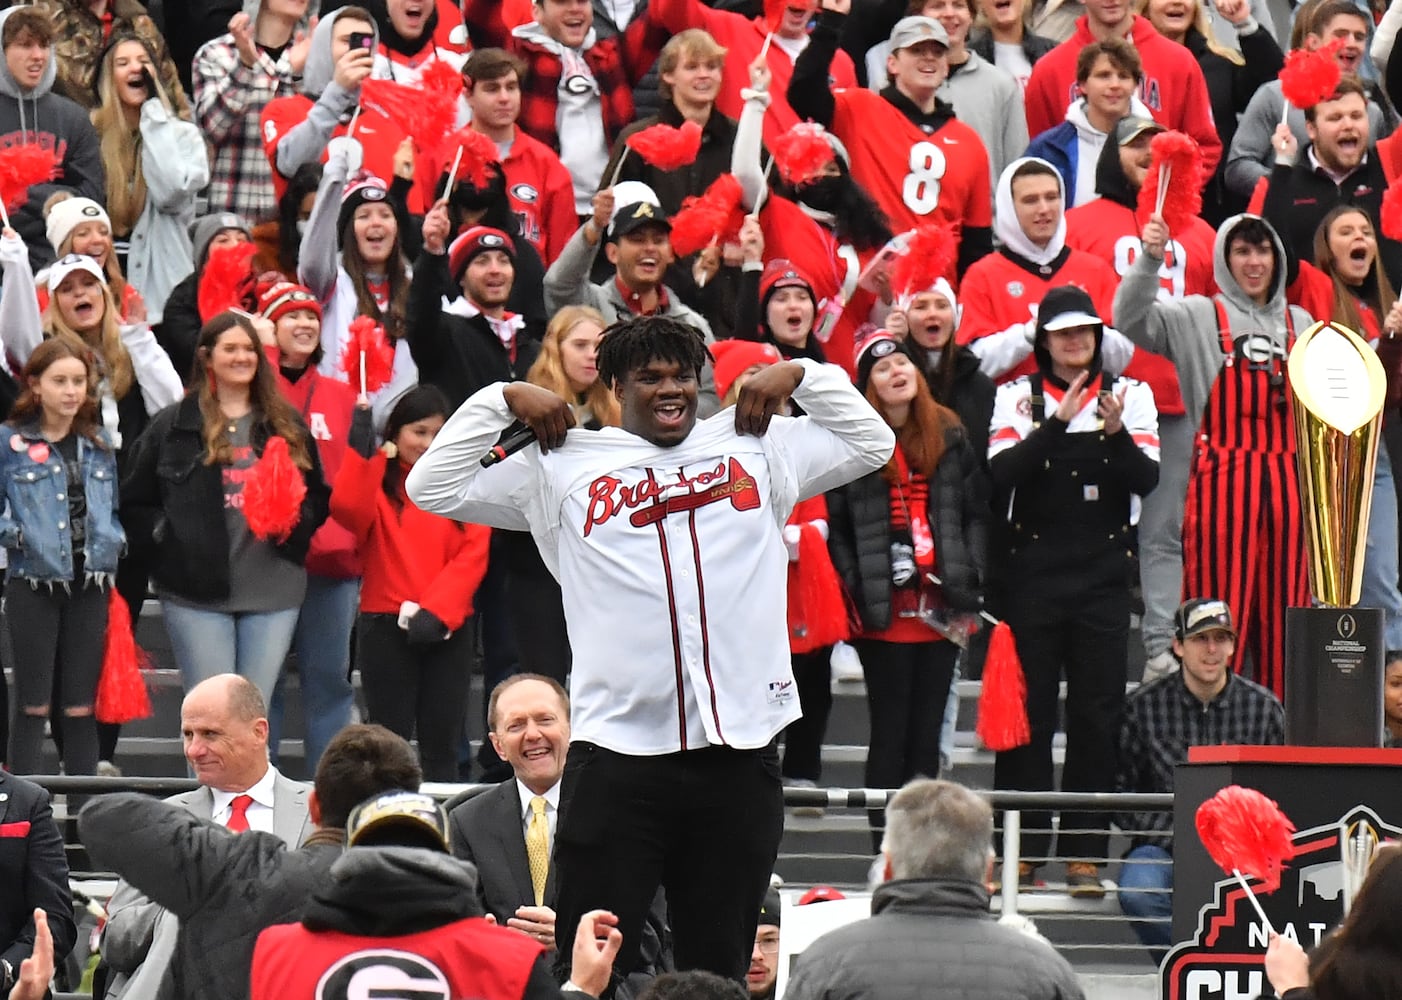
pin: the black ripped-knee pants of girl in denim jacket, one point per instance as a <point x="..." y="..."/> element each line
<point x="58" y="637"/>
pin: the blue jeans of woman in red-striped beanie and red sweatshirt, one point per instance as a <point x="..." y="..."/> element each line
<point x="323" y="647"/>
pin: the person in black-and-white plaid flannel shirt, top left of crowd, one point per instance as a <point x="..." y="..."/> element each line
<point x="235" y="76"/>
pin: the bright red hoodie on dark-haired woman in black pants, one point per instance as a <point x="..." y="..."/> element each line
<point x="410" y="555"/>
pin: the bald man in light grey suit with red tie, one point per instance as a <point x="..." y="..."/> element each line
<point x="225" y="731"/>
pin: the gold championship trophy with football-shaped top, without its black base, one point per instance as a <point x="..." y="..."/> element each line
<point x="1338" y="388"/>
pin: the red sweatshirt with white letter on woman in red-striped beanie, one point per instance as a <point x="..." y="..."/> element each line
<point x="326" y="407"/>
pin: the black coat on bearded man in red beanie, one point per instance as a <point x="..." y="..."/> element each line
<point x="456" y="354"/>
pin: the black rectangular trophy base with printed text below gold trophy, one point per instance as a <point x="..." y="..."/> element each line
<point x="1334" y="677"/>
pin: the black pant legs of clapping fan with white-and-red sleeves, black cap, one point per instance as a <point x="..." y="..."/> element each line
<point x="1087" y="643"/>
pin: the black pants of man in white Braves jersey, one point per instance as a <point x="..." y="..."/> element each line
<point x="706" y="825"/>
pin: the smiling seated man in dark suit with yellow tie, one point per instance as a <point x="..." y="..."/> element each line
<point x="528" y="720"/>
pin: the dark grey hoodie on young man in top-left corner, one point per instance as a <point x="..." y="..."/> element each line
<point x="40" y="117"/>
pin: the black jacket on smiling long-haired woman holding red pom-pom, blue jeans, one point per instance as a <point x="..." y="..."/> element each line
<point x="173" y="504"/>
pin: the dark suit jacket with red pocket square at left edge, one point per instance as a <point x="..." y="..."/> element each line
<point x="34" y="874"/>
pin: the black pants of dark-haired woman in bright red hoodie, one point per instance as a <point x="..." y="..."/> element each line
<point x="417" y="688"/>
